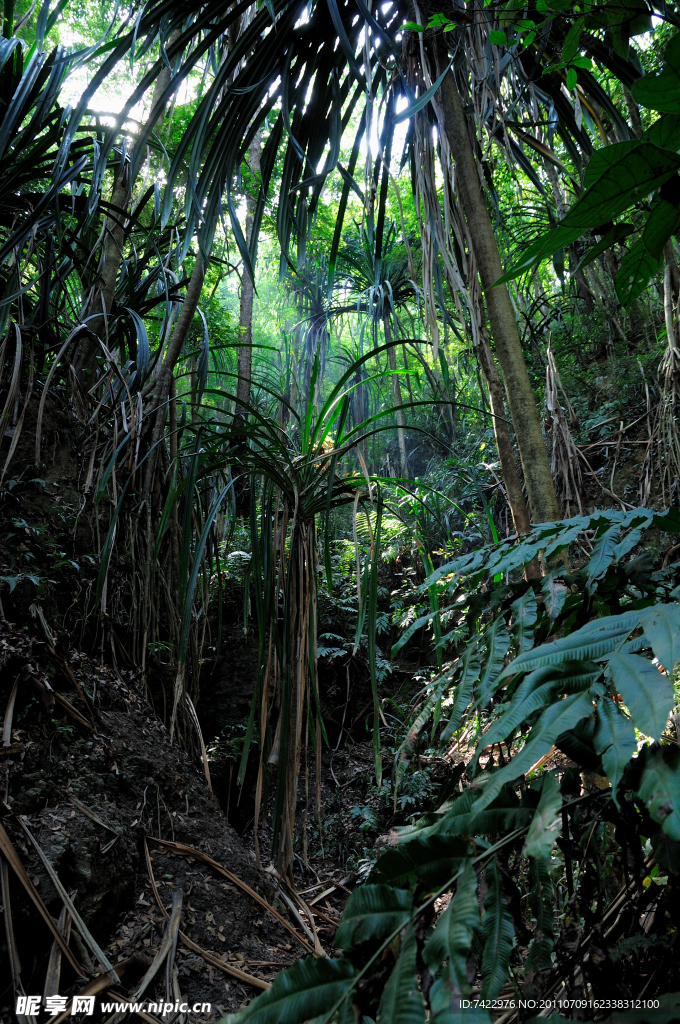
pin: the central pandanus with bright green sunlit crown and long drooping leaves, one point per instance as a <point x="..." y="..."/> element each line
<point x="299" y="478"/>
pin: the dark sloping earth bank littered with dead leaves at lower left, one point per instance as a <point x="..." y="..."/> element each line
<point x="91" y="773"/>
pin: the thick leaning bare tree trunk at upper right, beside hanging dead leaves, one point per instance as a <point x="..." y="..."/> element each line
<point x="540" y="487"/>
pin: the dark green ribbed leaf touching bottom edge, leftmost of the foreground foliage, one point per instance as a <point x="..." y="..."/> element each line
<point x="304" y="992"/>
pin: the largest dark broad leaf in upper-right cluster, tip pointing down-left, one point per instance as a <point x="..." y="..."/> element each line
<point x="637" y="173"/>
